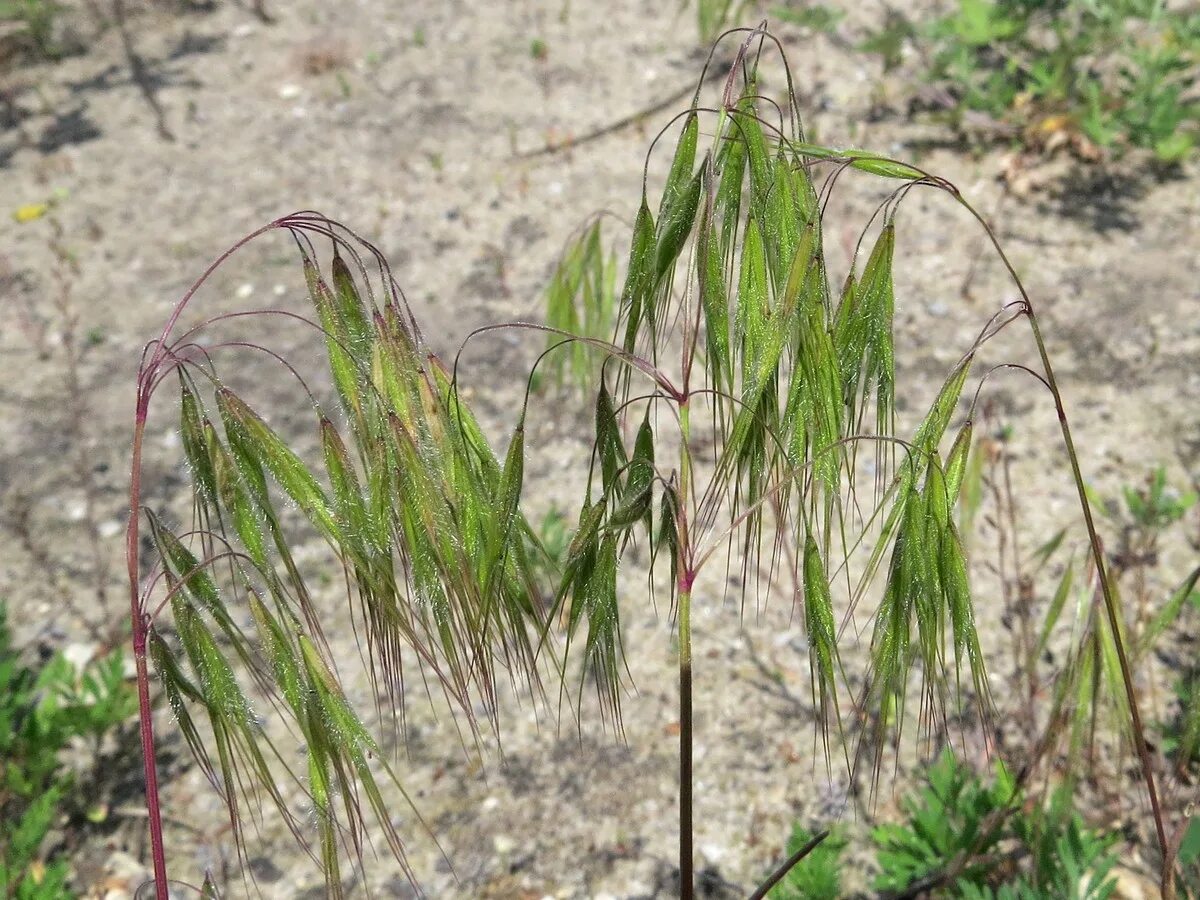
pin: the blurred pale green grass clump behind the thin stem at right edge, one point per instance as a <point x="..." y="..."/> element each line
<point x="1063" y="643"/>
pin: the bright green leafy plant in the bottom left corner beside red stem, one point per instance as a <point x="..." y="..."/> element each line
<point x="44" y="709"/>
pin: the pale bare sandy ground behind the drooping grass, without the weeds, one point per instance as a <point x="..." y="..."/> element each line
<point x="403" y="122"/>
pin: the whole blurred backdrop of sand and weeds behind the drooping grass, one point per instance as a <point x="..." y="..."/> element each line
<point x="140" y="140"/>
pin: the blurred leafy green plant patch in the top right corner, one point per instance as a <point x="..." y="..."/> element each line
<point x="1114" y="75"/>
